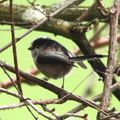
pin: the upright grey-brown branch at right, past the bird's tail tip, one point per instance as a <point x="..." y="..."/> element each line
<point x="112" y="55"/>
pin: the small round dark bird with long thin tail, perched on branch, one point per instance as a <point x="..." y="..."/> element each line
<point x="53" y="59"/>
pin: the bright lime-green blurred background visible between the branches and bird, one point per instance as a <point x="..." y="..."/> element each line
<point x="38" y="93"/>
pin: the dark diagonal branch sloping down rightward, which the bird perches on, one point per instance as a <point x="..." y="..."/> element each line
<point x="58" y="91"/>
